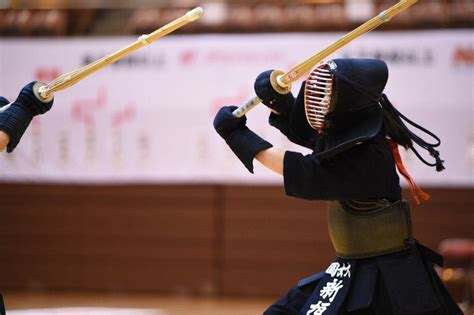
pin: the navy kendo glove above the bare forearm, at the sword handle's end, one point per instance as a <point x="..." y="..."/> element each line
<point x="241" y="140"/>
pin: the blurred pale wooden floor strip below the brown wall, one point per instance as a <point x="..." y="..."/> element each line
<point x="17" y="303"/>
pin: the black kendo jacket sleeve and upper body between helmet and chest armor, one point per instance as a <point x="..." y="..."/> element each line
<point x="365" y="171"/>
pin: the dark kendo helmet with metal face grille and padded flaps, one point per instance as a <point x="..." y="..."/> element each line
<point x="338" y="105"/>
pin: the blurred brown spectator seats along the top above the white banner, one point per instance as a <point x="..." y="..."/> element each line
<point x="242" y="16"/>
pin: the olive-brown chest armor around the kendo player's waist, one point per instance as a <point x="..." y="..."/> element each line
<point x="361" y="229"/>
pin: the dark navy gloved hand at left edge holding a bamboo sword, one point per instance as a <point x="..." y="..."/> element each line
<point x="16" y="118"/>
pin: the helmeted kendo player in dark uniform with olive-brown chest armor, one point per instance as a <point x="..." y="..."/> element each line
<point x="354" y="131"/>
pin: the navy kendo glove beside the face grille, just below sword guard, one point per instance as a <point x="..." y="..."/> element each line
<point x="283" y="104"/>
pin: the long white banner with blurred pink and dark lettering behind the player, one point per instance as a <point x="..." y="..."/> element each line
<point x="148" y="118"/>
